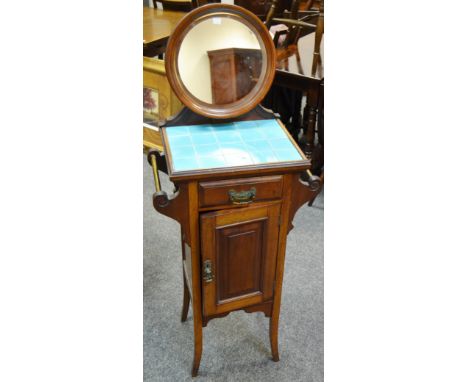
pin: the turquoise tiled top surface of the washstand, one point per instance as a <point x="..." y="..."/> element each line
<point x="233" y="144"/>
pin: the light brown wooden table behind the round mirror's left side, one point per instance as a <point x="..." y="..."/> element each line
<point x="158" y="25"/>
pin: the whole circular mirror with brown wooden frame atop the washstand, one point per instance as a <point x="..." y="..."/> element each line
<point x="220" y="60"/>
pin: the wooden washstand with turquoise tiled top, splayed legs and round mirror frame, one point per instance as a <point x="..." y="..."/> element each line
<point x="240" y="178"/>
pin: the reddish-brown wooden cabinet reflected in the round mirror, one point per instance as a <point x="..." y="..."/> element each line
<point x="234" y="72"/>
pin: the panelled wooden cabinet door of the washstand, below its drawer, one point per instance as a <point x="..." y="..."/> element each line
<point x="239" y="247"/>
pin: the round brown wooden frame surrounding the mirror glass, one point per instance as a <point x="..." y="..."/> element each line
<point x="257" y="93"/>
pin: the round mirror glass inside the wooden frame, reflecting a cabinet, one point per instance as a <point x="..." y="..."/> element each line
<point x="220" y="60"/>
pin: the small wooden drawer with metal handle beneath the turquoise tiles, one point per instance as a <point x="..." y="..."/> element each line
<point x="240" y="191"/>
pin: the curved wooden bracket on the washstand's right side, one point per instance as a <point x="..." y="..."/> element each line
<point x="303" y="193"/>
